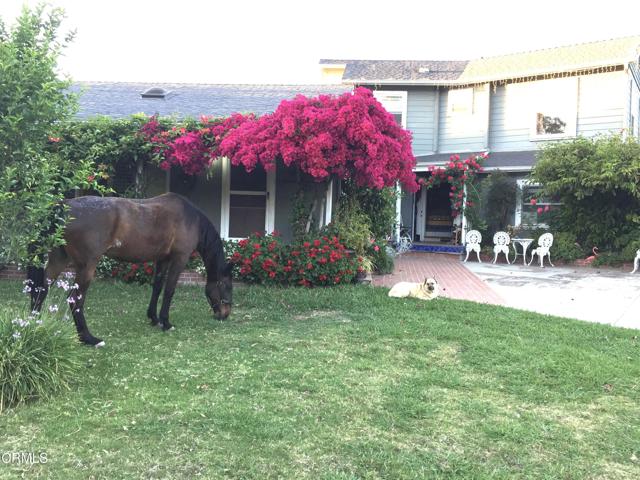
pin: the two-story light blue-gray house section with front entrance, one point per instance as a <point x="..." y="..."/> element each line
<point x="507" y="105"/>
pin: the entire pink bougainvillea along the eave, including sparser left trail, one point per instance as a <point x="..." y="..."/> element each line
<point x="349" y="136"/>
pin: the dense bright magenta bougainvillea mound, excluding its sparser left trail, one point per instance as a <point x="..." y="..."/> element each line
<point x="350" y="136"/>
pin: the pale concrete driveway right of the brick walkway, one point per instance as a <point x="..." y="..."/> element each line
<point x="591" y="294"/>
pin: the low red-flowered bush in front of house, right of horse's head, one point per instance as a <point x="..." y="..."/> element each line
<point x="264" y="259"/>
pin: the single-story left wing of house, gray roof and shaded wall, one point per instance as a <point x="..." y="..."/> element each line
<point x="236" y="202"/>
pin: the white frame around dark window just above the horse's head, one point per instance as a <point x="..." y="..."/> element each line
<point x="270" y="194"/>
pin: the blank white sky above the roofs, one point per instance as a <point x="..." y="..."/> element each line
<point x="281" y="42"/>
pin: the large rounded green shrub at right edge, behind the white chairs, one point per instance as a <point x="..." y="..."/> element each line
<point x="596" y="180"/>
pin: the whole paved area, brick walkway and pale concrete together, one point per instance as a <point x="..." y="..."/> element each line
<point x="584" y="293"/>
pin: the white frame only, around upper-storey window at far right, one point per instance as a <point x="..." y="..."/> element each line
<point x="567" y="112"/>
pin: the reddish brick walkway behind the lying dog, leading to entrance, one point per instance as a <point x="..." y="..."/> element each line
<point x="455" y="280"/>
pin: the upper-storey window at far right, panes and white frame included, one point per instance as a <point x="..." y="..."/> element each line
<point x="554" y="108"/>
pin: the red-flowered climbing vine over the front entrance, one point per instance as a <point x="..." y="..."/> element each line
<point x="456" y="173"/>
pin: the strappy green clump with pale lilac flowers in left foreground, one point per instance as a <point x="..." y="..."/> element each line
<point x="40" y="352"/>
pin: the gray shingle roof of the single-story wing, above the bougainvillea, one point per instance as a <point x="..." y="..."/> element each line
<point x="118" y="100"/>
